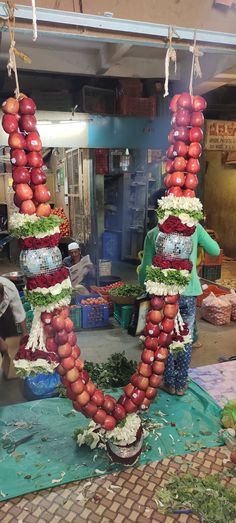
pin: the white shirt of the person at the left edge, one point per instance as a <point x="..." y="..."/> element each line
<point x="12" y="298"/>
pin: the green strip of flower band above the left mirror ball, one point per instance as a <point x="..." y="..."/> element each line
<point x="44" y="225"/>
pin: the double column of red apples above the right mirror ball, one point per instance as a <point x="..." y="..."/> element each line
<point x="185" y="148"/>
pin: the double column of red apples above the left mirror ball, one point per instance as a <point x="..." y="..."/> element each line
<point x="29" y="178"/>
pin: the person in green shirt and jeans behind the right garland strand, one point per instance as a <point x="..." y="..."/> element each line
<point x="176" y="373"/>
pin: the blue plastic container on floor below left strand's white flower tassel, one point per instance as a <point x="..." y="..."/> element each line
<point x="41" y="386"/>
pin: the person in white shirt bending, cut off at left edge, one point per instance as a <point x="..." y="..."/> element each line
<point x="11" y="312"/>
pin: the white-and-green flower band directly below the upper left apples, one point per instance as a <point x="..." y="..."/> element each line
<point x="28" y="227"/>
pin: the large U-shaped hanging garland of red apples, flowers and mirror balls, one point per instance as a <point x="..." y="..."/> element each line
<point x="52" y="341"/>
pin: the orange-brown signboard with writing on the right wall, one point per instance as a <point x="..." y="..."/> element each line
<point x="220" y="135"/>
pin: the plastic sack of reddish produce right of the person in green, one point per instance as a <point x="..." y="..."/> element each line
<point x="216" y="310"/>
